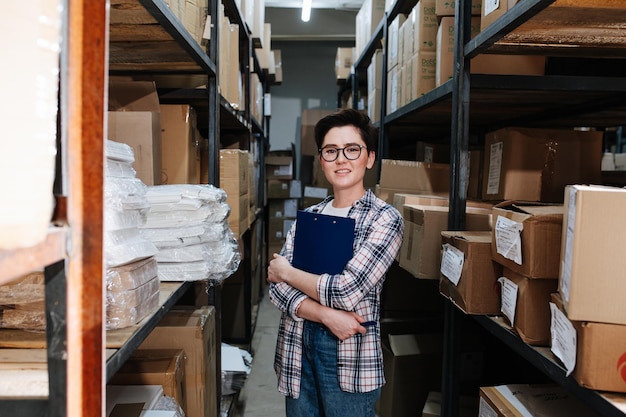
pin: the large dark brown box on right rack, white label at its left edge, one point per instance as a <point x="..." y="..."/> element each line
<point x="536" y="164"/>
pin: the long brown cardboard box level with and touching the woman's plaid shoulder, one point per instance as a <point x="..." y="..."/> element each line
<point x="412" y="177"/>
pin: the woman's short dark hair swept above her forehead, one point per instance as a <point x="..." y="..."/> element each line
<point x="348" y="117"/>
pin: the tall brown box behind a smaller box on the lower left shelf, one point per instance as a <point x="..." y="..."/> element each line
<point x="192" y="330"/>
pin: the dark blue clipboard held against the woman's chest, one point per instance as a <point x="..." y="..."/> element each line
<point x="322" y="243"/>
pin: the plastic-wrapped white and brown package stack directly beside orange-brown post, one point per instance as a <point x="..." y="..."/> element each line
<point x="132" y="284"/>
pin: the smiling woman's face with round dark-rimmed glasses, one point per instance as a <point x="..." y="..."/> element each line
<point x="345" y="173"/>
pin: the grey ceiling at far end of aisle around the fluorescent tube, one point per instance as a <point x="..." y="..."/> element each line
<point x="331" y="20"/>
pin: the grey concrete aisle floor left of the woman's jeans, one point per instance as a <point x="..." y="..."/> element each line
<point x="259" y="396"/>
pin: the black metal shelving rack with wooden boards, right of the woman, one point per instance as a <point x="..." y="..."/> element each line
<point x="470" y="104"/>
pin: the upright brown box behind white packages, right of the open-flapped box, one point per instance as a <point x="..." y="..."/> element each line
<point x="180" y="152"/>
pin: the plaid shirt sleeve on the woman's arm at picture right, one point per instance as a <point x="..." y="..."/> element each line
<point x="369" y="264"/>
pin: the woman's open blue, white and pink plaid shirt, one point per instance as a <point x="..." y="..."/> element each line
<point x="379" y="228"/>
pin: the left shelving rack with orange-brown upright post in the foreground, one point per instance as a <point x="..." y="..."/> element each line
<point x="113" y="37"/>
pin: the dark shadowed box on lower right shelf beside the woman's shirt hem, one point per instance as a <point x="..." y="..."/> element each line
<point x="413" y="368"/>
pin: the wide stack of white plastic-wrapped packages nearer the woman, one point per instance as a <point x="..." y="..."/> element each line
<point x="188" y="224"/>
